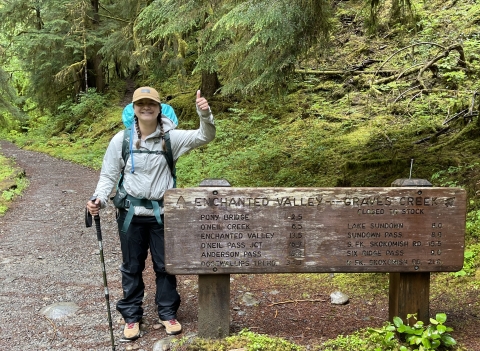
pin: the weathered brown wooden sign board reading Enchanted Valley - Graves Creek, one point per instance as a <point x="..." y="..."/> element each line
<point x="223" y="230"/>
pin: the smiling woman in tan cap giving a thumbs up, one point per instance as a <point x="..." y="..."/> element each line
<point x="145" y="176"/>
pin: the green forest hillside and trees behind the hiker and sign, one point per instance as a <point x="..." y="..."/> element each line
<point x="305" y="93"/>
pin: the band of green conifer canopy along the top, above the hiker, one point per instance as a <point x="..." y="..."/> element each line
<point x="52" y="51"/>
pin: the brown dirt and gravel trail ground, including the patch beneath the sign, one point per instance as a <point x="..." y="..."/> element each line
<point x="47" y="256"/>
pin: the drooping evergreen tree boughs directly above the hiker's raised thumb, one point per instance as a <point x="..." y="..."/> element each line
<point x="251" y="44"/>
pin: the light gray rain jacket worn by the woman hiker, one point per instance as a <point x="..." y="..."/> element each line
<point x="152" y="176"/>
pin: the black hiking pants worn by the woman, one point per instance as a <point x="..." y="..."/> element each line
<point x="144" y="233"/>
